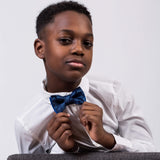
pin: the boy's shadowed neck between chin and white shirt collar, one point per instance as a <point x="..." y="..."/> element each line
<point x="56" y="85"/>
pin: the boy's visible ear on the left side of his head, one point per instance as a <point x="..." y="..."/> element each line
<point x="39" y="48"/>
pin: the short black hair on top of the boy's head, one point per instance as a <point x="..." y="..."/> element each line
<point x="48" y="14"/>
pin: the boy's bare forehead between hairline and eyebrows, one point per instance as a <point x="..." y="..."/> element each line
<point x="70" y="20"/>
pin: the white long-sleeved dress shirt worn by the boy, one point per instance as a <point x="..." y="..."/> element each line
<point x="121" y="117"/>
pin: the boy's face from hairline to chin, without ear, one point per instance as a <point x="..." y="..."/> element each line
<point x="68" y="46"/>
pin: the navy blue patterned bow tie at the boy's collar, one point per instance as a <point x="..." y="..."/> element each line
<point x="59" y="103"/>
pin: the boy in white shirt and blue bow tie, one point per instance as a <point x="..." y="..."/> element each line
<point x="96" y="116"/>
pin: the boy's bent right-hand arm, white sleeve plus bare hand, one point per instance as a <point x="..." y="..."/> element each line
<point x="134" y="134"/>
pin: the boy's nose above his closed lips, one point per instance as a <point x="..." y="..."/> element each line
<point x="77" y="48"/>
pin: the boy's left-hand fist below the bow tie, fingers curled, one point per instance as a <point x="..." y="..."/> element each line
<point x="59" y="129"/>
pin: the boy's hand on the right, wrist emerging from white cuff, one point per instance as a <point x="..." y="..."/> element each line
<point x="91" y="118"/>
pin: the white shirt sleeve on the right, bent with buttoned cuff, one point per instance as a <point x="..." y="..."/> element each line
<point x="134" y="134"/>
